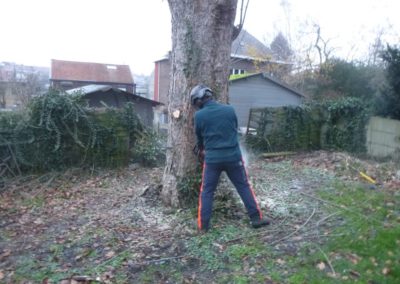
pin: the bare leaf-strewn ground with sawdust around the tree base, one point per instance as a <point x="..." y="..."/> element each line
<point x="112" y="222"/>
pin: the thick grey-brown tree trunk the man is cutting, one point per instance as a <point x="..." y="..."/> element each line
<point x="201" y="44"/>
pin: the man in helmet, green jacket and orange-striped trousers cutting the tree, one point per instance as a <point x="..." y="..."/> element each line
<point x="217" y="141"/>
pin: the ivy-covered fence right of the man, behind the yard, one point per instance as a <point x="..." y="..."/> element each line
<point x="337" y="124"/>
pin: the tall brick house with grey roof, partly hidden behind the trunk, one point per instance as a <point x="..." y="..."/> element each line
<point x="248" y="55"/>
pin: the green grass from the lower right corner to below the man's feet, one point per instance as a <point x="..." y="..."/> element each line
<point x="364" y="247"/>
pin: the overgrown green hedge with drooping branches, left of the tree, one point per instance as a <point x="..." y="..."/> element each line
<point x="58" y="130"/>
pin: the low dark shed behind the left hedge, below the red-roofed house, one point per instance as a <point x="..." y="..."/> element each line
<point x="100" y="95"/>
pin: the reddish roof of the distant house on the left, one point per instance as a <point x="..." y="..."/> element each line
<point x="90" y="72"/>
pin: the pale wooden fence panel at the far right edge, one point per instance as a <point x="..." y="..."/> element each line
<point x="383" y="137"/>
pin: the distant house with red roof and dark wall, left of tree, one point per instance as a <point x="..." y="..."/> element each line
<point x="67" y="75"/>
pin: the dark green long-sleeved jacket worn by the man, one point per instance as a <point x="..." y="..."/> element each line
<point x="216" y="131"/>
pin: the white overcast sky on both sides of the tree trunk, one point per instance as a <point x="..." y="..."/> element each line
<point x="137" y="32"/>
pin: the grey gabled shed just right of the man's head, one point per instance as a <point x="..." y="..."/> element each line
<point x="259" y="90"/>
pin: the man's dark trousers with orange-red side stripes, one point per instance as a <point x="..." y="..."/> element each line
<point x="238" y="176"/>
